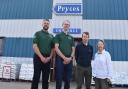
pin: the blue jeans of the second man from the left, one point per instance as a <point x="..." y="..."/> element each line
<point x="63" y="71"/>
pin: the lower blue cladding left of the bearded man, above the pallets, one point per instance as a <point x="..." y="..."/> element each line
<point x="18" y="47"/>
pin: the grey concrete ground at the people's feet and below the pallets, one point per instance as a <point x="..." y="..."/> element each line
<point x="27" y="85"/>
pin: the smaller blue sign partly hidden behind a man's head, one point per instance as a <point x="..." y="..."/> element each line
<point x="71" y="30"/>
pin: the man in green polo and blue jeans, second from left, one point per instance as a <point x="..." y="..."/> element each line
<point x="64" y="46"/>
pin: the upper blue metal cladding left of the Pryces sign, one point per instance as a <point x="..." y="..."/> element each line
<point x="26" y="9"/>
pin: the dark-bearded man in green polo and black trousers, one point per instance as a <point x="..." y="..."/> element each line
<point x="42" y="45"/>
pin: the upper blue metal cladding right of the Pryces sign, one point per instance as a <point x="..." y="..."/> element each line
<point x="105" y="9"/>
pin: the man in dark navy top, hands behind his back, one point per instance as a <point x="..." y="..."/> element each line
<point x="83" y="56"/>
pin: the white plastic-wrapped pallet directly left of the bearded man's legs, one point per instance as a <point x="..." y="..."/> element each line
<point x="26" y="72"/>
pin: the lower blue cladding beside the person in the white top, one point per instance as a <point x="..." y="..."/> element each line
<point x="118" y="49"/>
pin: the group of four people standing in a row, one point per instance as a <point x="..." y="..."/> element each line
<point x="44" y="45"/>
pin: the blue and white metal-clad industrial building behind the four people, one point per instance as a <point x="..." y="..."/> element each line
<point x="103" y="19"/>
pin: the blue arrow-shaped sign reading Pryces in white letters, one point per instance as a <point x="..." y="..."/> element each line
<point x="68" y="8"/>
